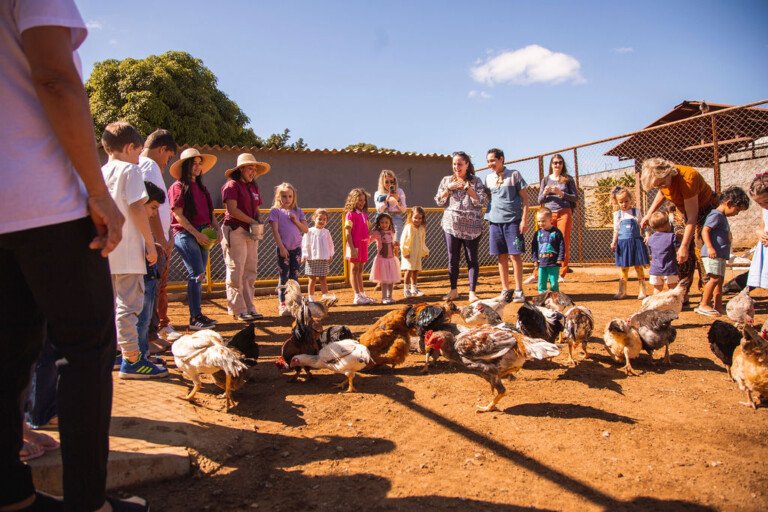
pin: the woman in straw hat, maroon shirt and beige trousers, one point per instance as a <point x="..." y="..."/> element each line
<point x="241" y="233"/>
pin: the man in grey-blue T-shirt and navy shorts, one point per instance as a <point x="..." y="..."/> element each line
<point x="507" y="213"/>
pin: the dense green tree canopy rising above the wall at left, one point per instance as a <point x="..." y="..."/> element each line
<point x="175" y="91"/>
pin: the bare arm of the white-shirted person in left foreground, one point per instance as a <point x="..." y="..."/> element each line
<point x="61" y="93"/>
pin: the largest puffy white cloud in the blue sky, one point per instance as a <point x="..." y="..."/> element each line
<point x="532" y="64"/>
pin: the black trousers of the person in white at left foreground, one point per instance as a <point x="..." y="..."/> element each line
<point x="39" y="296"/>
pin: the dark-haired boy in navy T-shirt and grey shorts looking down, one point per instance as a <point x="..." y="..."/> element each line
<point x="716" y="234"/>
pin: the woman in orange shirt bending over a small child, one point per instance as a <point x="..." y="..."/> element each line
<point x="686" y="188"/>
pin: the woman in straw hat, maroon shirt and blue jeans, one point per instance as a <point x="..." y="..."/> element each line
<point x="192" y="213"/>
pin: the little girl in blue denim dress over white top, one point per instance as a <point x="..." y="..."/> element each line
<point x="627" y="244"/>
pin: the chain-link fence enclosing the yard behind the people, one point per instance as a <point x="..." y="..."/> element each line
<point x="726" y="145"/>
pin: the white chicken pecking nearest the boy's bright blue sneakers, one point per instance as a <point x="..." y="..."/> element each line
<point x="204" y="352"/>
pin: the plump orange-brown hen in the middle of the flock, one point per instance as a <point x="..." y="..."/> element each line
<point x="388" y="339"/>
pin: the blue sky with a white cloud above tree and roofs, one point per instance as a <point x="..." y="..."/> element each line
<point x="439" y="76"/>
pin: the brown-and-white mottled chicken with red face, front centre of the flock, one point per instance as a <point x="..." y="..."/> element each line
<point x="490" y="352"/>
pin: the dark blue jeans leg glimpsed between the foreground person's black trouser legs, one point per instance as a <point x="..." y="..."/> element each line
<point x="41" y="401"/>
